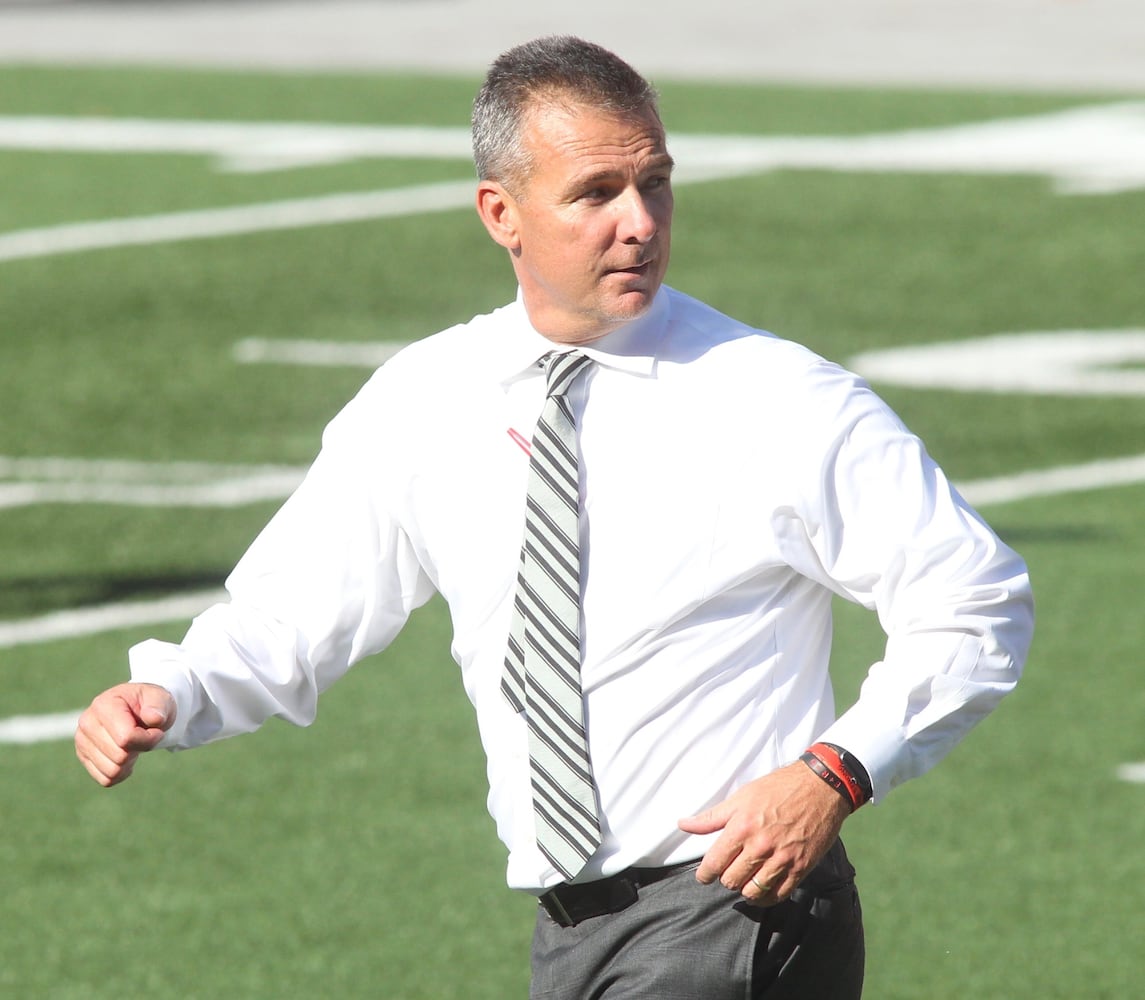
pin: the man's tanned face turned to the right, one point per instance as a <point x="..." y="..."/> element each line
<point x="593" y="221"/>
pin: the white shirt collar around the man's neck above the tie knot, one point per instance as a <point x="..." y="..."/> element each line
<point x="630" y="349"/>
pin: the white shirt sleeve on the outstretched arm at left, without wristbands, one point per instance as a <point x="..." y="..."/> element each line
<point x="330" y="580"/>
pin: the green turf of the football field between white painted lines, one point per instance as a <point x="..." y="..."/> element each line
<point x="356" y="860"/>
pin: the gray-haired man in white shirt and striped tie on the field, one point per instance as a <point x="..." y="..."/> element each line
<point x="651" y="671"/>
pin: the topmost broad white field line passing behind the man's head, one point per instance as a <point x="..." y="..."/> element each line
<point x="1093" y="149"/>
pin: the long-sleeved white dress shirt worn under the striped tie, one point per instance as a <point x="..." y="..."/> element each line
<point x="732" y="484"/>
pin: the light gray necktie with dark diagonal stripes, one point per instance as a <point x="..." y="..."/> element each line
<point x="542" y="674"/>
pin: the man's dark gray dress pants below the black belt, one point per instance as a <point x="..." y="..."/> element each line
<point x="683" y="941"/>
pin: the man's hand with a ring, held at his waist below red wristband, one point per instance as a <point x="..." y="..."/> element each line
<point x="776" y="830"/>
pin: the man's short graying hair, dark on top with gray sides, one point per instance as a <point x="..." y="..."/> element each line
<point x="555" y="69"/>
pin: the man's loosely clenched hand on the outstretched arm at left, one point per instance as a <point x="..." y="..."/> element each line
<point x="121" y="725"/>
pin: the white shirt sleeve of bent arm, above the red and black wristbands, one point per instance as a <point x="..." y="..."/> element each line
<point x="887" y="530"/>
